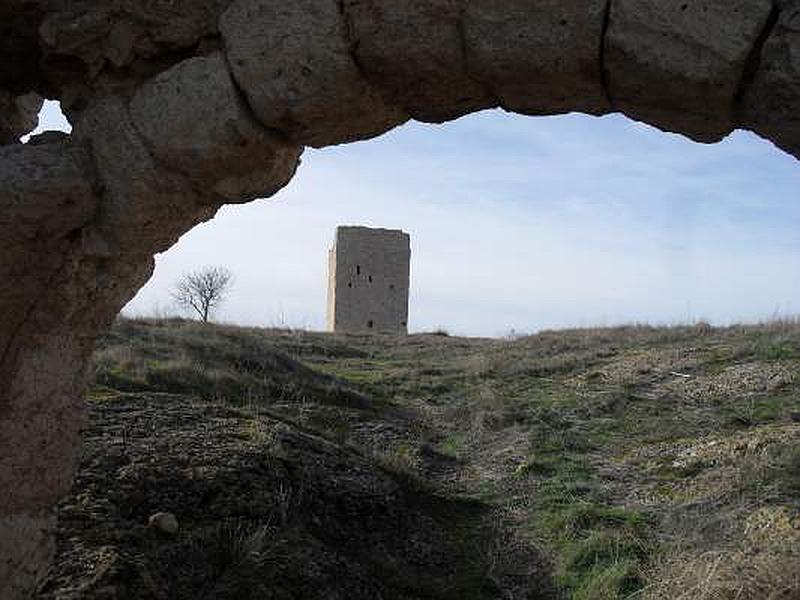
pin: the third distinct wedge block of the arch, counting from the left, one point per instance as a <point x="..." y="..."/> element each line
<point x="414" y="51"/>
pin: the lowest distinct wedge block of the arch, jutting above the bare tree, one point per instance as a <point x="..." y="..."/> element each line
<point x="195" y="122"/>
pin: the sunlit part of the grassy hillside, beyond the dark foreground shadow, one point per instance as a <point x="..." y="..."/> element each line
<point x="655" y="462"/>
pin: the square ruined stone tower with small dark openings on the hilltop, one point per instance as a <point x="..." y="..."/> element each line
<point x="368" y="278"/>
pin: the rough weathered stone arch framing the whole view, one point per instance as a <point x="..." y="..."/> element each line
<point x="181" y="106"/>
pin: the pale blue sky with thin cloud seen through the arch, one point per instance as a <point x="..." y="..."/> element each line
<point x="520" y="223"/>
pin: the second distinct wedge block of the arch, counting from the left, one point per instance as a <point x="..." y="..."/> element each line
<point x="293" y="61"/>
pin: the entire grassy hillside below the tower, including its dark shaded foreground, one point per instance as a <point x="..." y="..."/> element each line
<point x="588" y="464"/>
